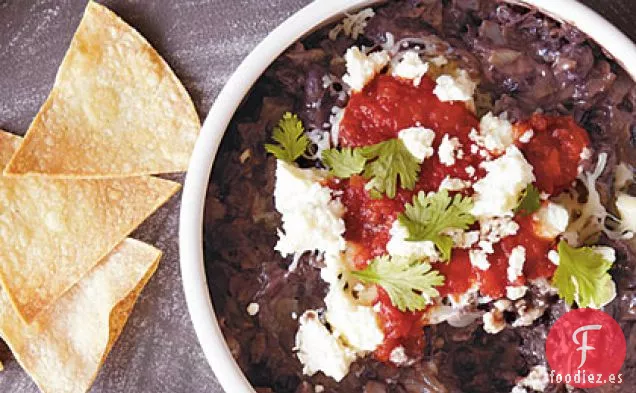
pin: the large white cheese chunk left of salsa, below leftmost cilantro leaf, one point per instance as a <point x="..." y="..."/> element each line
<point x="312" y="218"/>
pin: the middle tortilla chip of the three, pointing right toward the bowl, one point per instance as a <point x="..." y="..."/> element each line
<point x="53" y="232"/>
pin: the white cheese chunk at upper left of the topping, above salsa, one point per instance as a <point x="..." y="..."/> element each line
<point x="362" y="68"/>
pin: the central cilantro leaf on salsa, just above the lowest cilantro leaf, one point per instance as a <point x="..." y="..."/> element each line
<point x="429" y="216"/>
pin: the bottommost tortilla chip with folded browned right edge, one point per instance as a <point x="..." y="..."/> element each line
<point x="67" y="344"/>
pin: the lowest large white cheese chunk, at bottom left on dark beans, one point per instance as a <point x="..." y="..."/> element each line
<point x="319" y="350"/>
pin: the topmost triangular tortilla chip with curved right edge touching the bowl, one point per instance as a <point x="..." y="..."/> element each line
<point x="116" y="109"/>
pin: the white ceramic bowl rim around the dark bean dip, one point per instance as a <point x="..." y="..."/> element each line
<point x="306" y="20"/>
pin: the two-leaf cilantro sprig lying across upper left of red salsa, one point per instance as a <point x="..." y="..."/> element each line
<point x="383" y="164"/>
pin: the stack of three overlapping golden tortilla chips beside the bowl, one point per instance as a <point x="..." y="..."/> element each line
<point x="73" y="190"/>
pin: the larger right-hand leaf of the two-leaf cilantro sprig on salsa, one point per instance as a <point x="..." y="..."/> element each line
<point x="391" y="160"/>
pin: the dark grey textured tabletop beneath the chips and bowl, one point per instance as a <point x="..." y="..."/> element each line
<point x="204" y="41"/>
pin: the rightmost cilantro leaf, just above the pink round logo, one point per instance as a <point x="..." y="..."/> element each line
<point x="582" y="276"/>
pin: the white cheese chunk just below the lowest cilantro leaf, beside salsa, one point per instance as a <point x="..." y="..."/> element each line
<point x="354" y="324"/>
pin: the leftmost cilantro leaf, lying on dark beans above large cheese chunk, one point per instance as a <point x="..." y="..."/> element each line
<point x="292" y="141"/>
